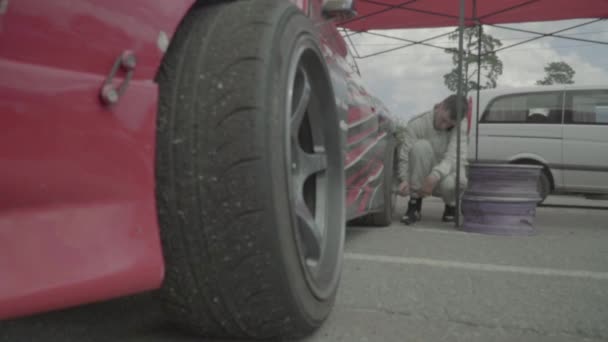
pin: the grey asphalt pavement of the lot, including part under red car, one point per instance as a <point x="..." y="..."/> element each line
<point x="428" y="282"/>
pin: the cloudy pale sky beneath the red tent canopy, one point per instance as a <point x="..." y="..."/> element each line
<point x="410" y="80"/>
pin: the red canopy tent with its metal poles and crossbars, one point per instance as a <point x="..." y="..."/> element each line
<point x="404" y="14"/>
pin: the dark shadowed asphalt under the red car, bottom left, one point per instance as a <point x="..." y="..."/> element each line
<point x="138" y="318"/>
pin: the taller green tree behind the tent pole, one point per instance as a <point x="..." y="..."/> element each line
<point x="491" y="65"/>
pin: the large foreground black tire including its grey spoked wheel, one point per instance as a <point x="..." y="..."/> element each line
<point x="253" y="248"/>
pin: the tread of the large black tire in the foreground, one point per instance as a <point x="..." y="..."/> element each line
<point x="193" y="177"/>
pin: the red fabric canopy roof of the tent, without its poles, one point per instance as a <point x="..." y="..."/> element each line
<point x="398" y="14"/>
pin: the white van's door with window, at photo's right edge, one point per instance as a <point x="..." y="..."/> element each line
<point x="586" y="141"/>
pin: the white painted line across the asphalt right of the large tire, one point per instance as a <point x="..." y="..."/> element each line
<point x="548" y="272"/>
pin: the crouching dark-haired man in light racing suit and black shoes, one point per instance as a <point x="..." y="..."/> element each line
<point x="427" y="158"/>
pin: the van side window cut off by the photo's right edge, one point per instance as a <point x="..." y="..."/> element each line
<point x="588" y="107"/>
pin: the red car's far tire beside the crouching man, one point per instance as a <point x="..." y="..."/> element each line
<point x="384" y="217"/>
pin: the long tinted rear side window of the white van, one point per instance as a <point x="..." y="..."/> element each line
<point x="542" y="108"/>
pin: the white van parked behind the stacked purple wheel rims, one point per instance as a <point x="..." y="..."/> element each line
<point x="564" y="128"/>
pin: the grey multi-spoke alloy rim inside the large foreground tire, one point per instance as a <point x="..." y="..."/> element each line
<point x="315" y="173"/>
